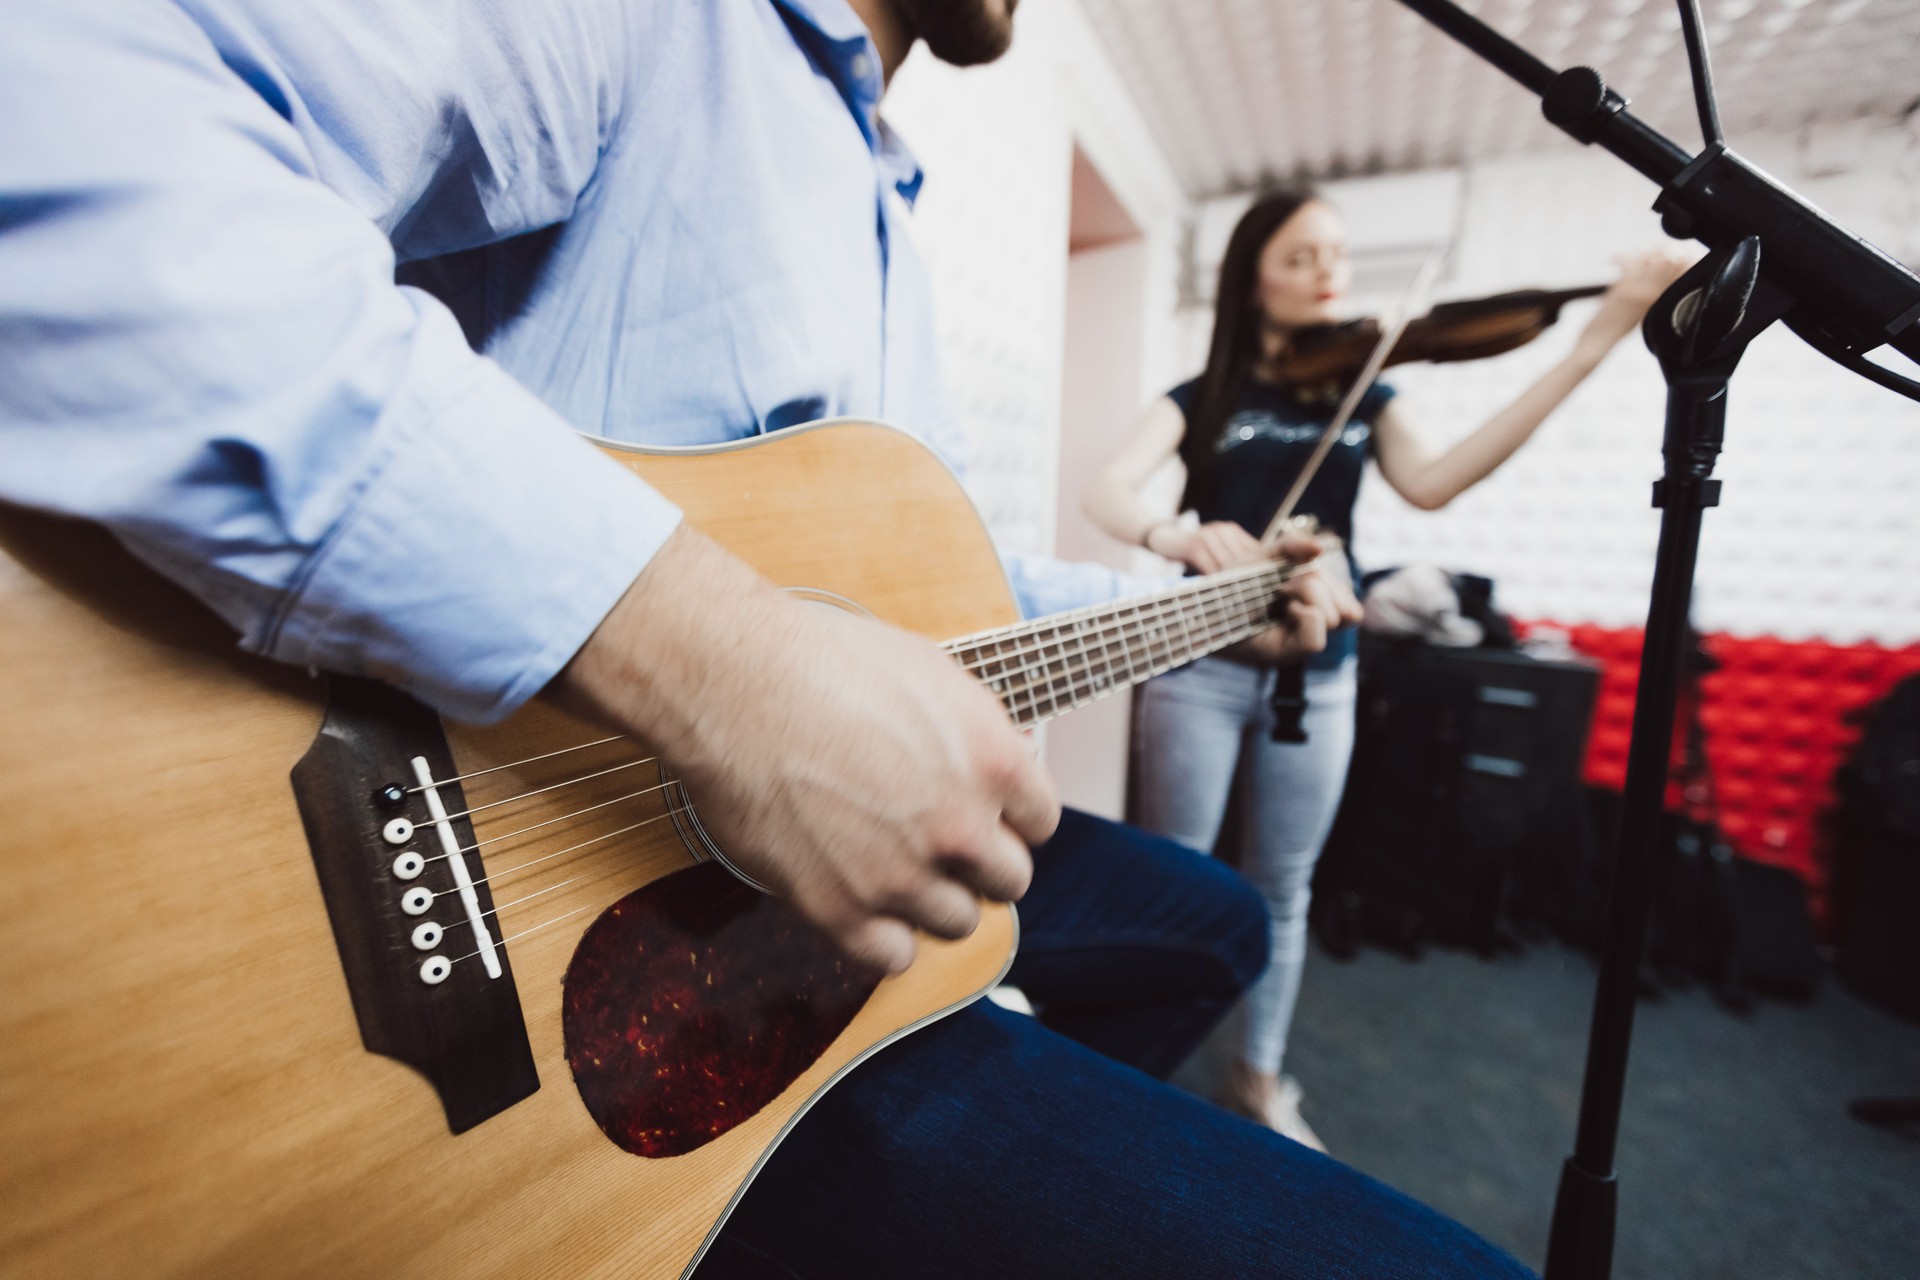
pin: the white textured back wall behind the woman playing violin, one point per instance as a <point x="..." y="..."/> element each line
<point x="1819" y="531"/>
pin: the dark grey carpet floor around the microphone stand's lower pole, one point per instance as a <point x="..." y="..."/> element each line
<point x="1456" y="1079"/>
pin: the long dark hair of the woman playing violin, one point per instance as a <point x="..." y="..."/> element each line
<point x="1237" y="321"/>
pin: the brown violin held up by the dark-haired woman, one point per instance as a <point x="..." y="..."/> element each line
<point x="1324" y="360"/>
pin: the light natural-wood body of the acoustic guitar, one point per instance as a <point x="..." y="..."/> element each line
<point x="185" y="1079"/>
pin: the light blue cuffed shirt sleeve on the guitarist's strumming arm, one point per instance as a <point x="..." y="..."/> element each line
<point x="204" y="350"/>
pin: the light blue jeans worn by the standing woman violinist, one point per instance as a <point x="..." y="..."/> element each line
<point x="1205" y="732"/>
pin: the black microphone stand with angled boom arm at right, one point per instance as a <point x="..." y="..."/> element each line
<point x="1771" y="258"/>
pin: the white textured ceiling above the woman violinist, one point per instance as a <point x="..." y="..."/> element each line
<point x="1241" y="91"/>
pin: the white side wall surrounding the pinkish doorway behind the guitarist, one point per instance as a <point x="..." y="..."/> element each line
<point x="992" y="224"/>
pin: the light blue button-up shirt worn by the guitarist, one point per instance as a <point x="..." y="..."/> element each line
<point x="665" y="222"/>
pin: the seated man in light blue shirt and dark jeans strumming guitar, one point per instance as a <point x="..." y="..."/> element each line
<point x="667" y="222"/>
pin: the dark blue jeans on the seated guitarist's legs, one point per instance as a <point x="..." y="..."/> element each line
<point x="992" y="1147"/>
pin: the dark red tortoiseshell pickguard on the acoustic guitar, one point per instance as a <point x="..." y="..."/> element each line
<point x="694" y="1003"/>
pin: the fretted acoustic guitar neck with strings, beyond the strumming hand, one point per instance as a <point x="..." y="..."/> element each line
<point x="1049" y="667"/>
